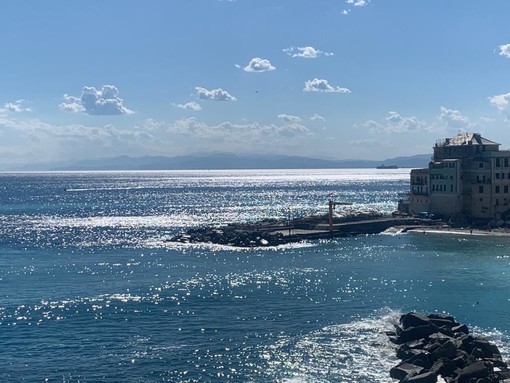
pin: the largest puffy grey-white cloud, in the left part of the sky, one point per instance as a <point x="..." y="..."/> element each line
<point x="96" y="102"/>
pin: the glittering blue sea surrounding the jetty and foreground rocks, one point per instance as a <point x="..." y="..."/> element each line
<point x="93" y="290"/>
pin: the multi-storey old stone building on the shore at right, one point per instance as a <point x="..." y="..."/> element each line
<point x="468" y="178"/>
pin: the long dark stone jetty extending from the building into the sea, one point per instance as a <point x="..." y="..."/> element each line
<point x="275" y="232"/>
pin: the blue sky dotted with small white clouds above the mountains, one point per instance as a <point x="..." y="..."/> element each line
<point x="338" y="79"/>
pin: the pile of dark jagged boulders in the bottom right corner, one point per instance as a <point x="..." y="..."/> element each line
<point x="436" y="348"/>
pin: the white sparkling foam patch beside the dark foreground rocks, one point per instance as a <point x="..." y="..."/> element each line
<point x="357" y="352"/>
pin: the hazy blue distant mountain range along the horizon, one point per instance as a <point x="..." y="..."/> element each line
<point x="230" y="161"/>
